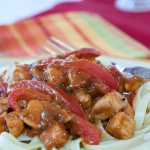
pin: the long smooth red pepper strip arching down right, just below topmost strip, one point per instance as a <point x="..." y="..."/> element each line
<point x="91" y="68"/>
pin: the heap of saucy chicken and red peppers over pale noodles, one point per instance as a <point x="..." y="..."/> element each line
<point x="72" y="101"/>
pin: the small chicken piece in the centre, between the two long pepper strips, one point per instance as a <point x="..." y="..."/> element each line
<point x="82" y="97"/>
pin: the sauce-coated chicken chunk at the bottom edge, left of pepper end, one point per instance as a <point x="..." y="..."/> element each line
<point x="55" y="136"/>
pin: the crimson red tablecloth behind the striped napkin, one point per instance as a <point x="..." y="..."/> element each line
<point x="136" y="25"/>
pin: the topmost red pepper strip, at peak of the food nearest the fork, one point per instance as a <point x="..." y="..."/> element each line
<point x="84" y="53"/>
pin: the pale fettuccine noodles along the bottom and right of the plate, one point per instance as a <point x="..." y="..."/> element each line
<point x="141" y="106"/>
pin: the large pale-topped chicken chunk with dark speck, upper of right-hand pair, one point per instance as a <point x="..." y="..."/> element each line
<point x="108" y="105"/>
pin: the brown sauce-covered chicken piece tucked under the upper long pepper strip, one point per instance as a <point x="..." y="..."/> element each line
<point x="78" y="79"/>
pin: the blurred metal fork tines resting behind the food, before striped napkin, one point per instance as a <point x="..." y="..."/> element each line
<point x="55" y="46"/>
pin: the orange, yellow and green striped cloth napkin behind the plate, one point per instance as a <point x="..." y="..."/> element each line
<point x="79" y="29"/>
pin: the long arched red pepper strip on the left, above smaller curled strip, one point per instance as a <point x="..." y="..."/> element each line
<point x="50" y="89"/>
